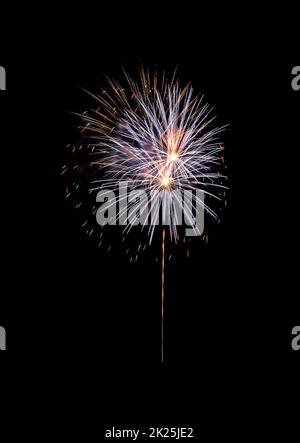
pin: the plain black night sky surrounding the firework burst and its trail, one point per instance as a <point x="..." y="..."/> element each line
<point x="92" y="320"/>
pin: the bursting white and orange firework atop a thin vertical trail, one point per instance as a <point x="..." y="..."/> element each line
<point x="154" y="135"/>
